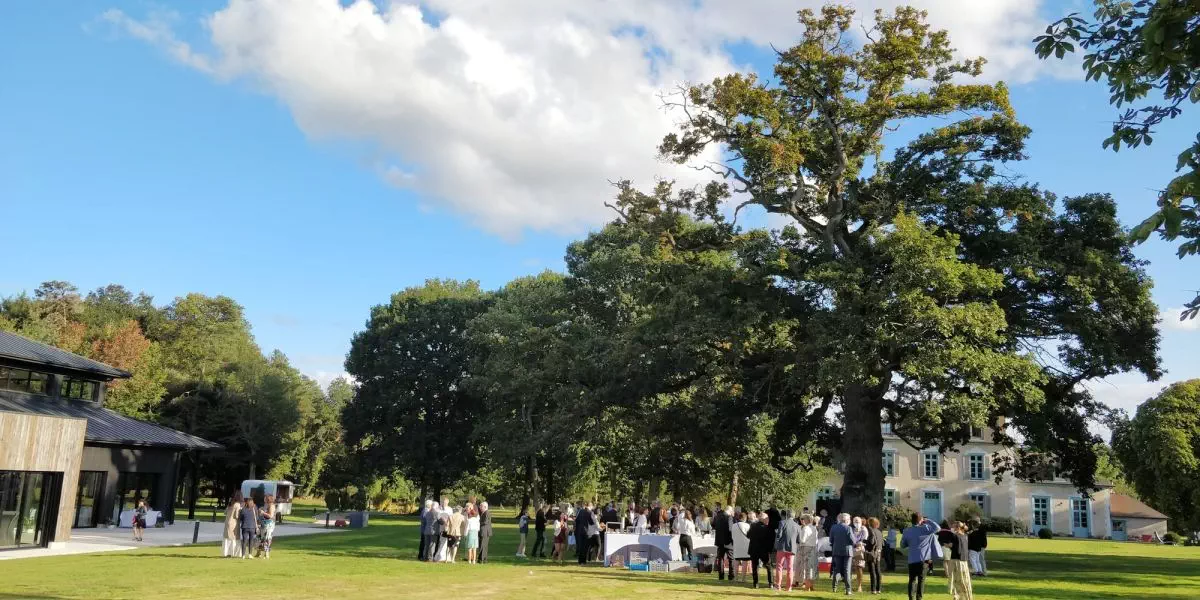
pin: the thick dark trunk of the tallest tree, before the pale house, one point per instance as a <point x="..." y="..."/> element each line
<point x="862" y="449"/>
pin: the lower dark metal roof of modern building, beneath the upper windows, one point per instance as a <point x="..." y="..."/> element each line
<point x="106" y="427"/>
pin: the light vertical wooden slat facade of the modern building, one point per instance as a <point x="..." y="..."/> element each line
<point x="46" y="445"/>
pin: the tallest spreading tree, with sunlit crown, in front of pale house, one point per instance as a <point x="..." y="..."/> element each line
<point x="909" y="287"/>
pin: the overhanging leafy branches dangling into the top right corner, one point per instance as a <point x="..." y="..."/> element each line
<point x="1149" y="53"/>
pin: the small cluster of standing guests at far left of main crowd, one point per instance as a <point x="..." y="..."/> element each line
<point x="445" y="529"/>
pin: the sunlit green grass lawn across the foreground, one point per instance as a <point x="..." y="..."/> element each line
<point x="380" y="563"/>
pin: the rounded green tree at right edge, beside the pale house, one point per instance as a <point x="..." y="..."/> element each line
<point x="1161" y="451"/>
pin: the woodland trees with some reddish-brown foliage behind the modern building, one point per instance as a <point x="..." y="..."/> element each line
<point x="195" y="367"/>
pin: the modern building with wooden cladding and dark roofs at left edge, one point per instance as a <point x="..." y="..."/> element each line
<point x="65" y="460"/>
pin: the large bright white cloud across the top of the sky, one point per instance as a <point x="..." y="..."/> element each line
<point x="517" y="115"/>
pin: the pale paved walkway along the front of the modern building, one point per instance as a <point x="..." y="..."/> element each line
<point x="85" y="542"/>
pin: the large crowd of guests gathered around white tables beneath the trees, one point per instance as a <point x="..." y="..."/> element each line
<point x="788" y="547"/>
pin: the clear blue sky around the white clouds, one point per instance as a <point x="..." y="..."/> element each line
<point x="123" y="163"/>
